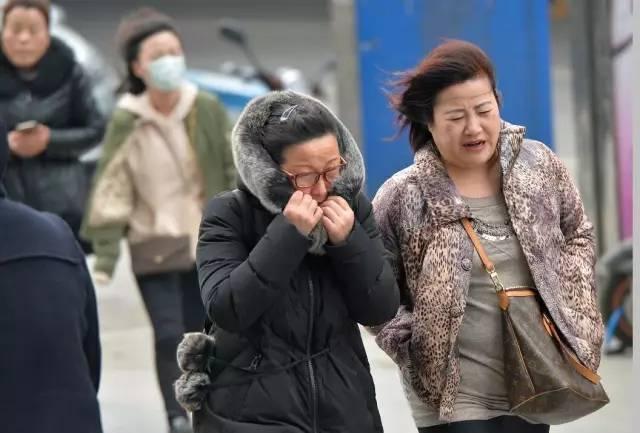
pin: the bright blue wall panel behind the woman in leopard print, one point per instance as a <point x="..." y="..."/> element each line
<point x="395" y="35"/>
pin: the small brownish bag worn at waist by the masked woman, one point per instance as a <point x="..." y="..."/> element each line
<point x="161" y="254"/>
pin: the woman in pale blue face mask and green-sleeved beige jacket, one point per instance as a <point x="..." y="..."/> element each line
<point x="166" y="152"/>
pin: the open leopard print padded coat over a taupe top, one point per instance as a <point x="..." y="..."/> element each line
<point x="419" y="211"/>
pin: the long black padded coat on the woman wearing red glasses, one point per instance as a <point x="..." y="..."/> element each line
<point x="287" y="320"/>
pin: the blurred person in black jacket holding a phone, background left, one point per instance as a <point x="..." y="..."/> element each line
<point x="46" y="103"/>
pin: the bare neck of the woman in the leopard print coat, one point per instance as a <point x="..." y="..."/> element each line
<point x="484" y="181"/>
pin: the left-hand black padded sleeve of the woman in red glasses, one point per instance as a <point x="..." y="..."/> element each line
<point x="239" y="284"/>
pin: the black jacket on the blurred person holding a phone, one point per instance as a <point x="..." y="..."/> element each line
<point x="59" y="96"/>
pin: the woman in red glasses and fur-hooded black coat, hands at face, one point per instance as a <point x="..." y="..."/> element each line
<point x="289" y="264"/>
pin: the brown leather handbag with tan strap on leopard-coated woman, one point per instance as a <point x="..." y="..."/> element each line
<point x="547" y="383"/>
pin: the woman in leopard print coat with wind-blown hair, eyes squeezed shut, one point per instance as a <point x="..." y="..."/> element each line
<point x="464" y="152"/>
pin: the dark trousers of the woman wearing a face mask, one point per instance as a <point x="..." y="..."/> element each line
<point x="174" y="306"/>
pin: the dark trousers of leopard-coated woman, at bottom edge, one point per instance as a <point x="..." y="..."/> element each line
<point x="501" y="424"/>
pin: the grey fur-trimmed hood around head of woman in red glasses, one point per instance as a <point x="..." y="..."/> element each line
<point x="262" y="176"/>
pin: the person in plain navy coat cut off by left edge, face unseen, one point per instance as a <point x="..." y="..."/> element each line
<point x="49" y="338"/>
